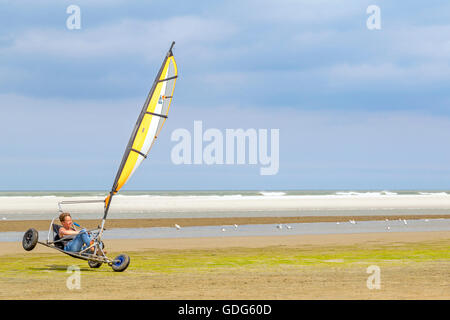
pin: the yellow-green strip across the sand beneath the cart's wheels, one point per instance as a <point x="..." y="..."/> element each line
<point x="232" y="259"/>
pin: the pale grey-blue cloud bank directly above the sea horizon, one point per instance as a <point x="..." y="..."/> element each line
<point x="79" y="143"/>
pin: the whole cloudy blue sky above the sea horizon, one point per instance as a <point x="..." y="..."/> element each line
<point x="355" y="108"/>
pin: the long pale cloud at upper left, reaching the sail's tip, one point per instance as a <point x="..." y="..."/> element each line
<point x="127" y="38"/>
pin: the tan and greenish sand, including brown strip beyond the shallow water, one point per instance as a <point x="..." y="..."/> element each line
<point x="154" y="273"/>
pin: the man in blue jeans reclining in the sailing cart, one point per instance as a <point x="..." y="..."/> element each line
<point x="81" y="239"/>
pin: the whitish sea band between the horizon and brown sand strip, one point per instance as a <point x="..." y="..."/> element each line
<point x="26" y="212"/>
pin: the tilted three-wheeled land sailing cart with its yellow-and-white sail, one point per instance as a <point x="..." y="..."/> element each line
<point x="148" y="126"/>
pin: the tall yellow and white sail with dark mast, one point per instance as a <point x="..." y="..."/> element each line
<point x="148" y="125"/>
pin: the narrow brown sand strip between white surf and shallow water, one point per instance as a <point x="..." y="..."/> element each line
<point x="42" y="225"/>
